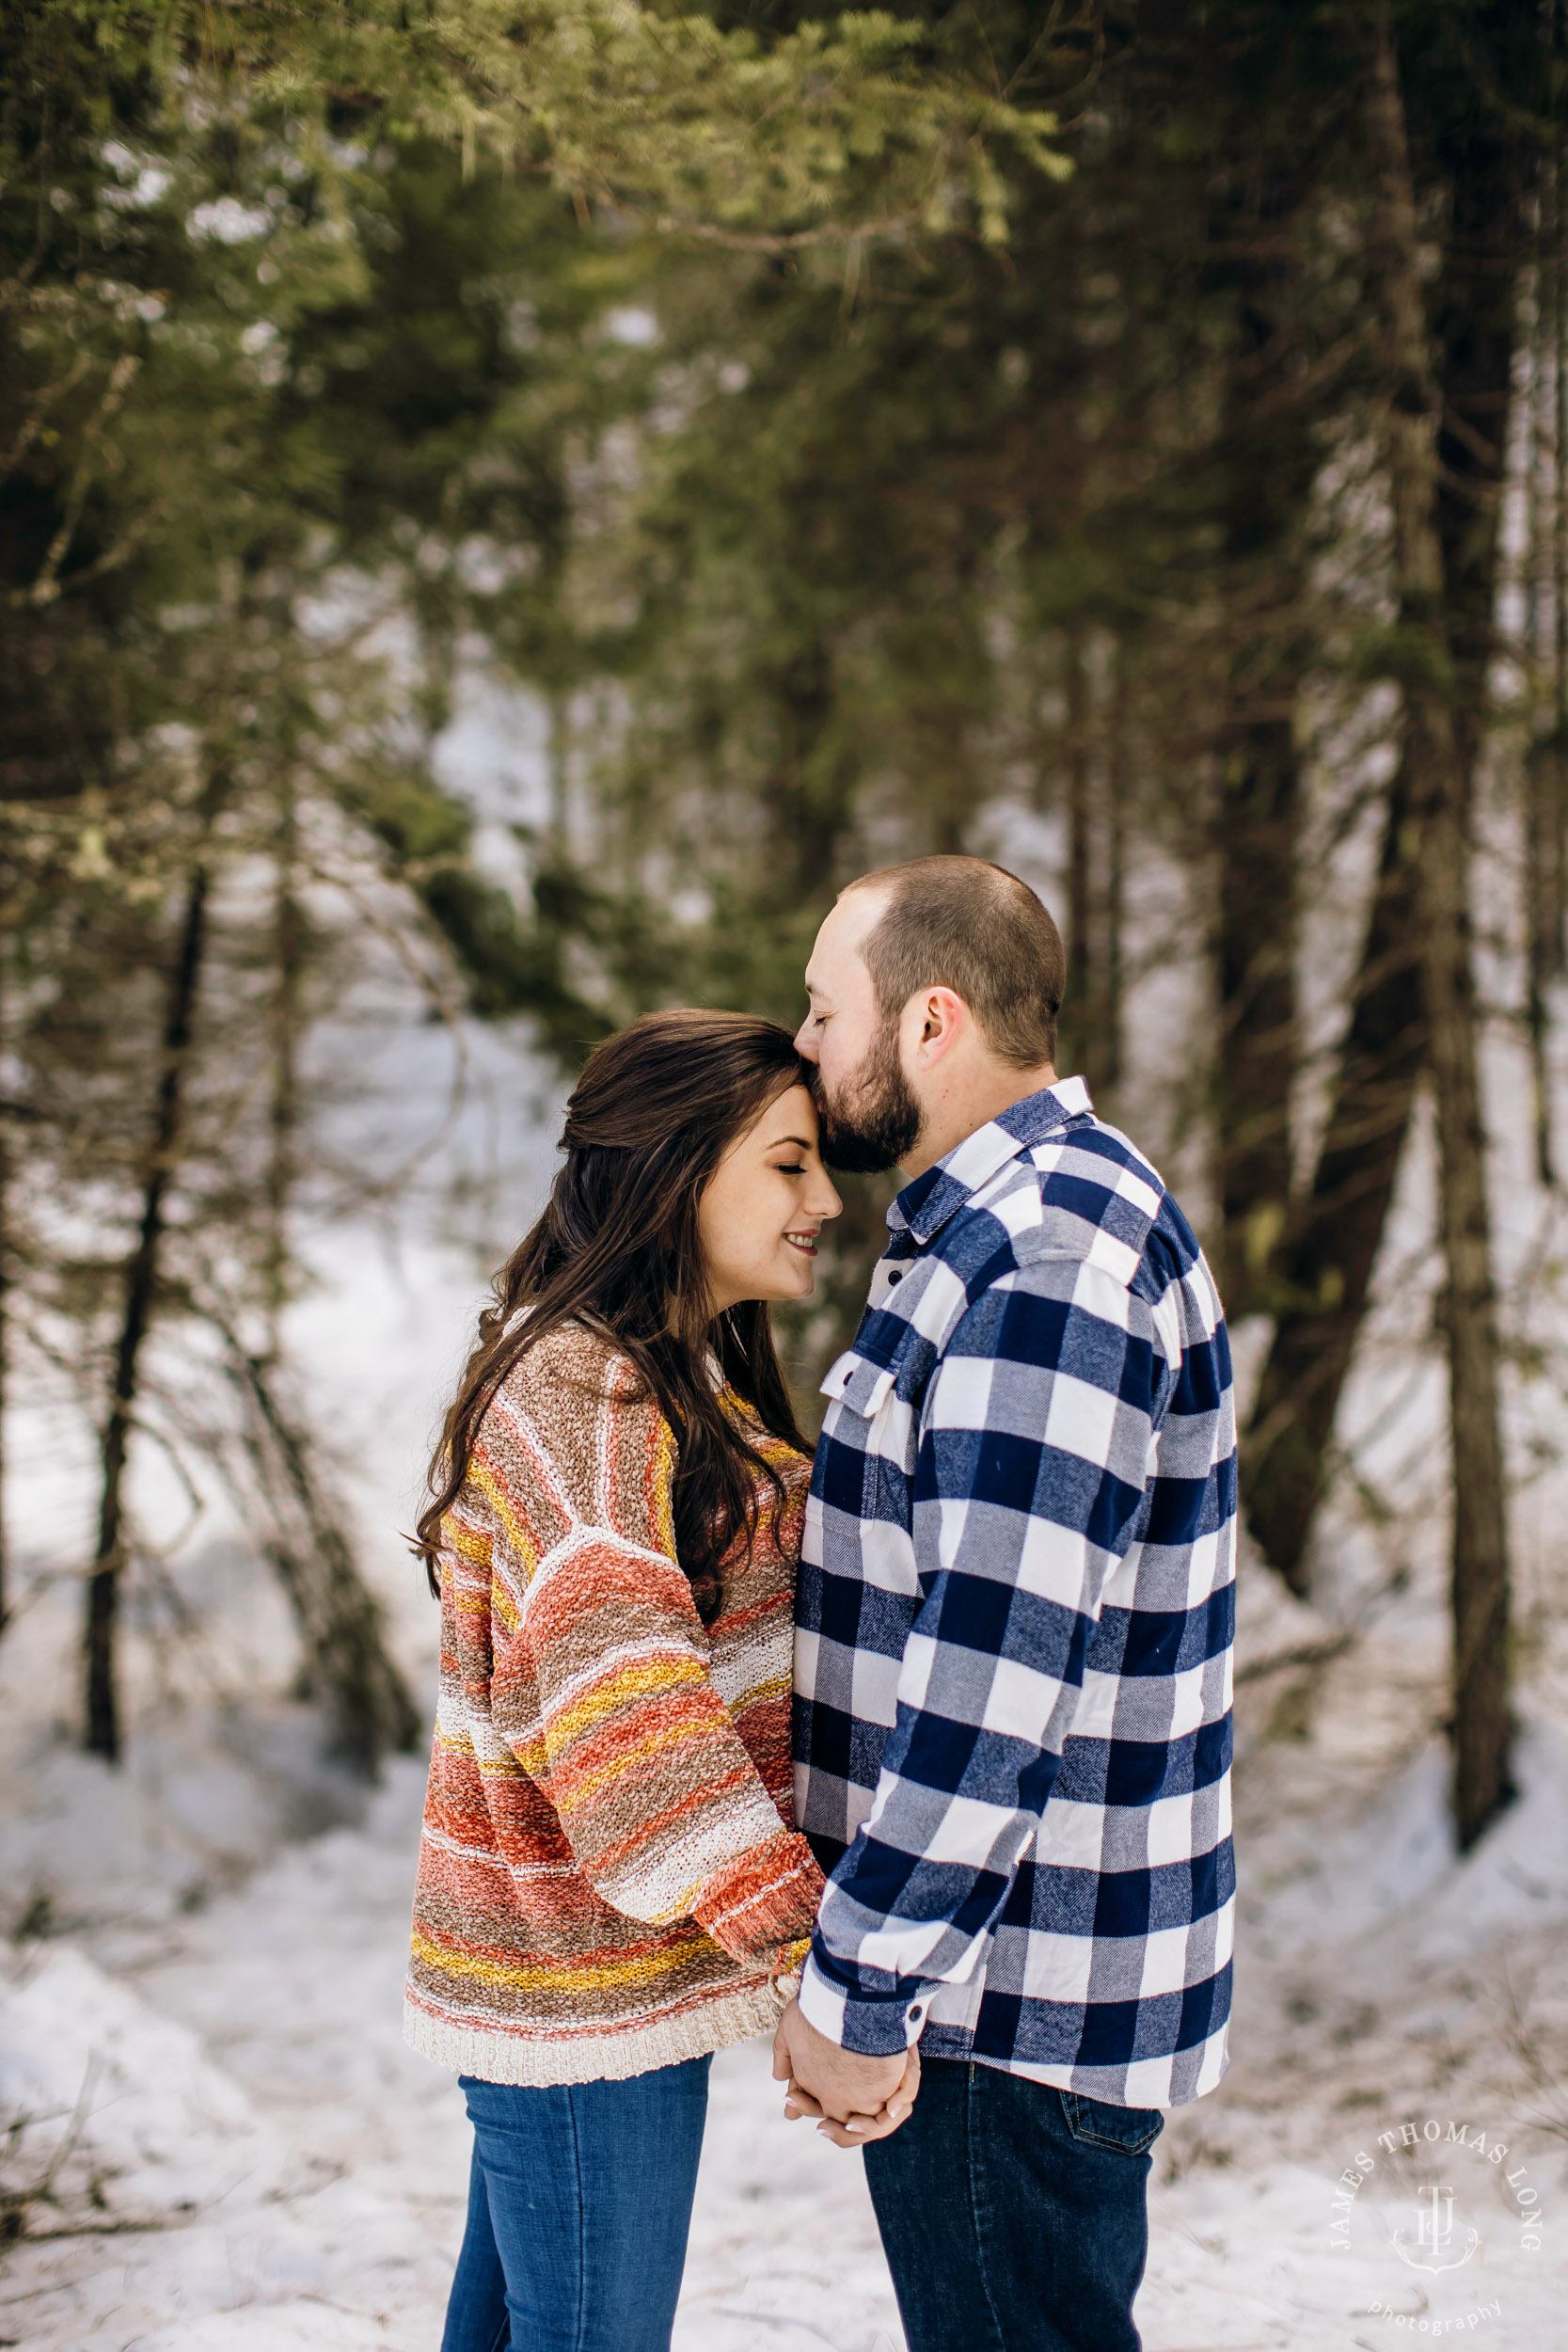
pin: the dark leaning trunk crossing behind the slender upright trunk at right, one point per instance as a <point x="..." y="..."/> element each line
<point x="1336" y="1229"/>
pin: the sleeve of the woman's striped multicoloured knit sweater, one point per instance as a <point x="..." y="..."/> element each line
<point x="657" y="1796"/>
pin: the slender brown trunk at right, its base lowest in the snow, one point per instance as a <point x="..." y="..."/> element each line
<point x="1440" y="777"/>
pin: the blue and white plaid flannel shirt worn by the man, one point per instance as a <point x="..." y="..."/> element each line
<point x="1014" y="1629"/>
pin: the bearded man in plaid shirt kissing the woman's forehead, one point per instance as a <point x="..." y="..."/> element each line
<point x="1012" y="1720"/>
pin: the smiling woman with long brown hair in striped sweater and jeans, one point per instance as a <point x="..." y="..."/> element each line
<point x="610" y="1887"/>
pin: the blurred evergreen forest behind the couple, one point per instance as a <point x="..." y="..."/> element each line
<point x="1113" y="436"/>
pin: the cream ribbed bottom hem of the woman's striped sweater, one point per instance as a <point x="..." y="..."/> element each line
<point x="537" y="2062"/>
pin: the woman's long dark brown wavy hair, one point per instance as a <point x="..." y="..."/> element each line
<point x="652" y="1116"/>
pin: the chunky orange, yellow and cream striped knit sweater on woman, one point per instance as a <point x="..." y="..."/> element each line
<point x="608" y="1876"/>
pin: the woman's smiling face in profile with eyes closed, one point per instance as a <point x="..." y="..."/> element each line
<point x="765" y="1205"/>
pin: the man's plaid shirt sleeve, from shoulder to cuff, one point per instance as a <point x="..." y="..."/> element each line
<point x="1033" y="1462"/>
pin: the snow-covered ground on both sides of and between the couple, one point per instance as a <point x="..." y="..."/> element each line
<point x="307" y="2174"/>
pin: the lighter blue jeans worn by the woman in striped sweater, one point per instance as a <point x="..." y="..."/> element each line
<point x="579" y="2207"/>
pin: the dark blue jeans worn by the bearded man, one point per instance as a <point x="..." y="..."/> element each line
<point x="1014" y="2217"/>
